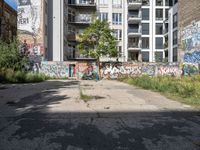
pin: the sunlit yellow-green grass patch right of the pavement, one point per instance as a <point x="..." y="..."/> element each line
<point x="184" y="89"/>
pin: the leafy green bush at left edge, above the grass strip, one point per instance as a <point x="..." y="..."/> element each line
<point x="10" y="57"/>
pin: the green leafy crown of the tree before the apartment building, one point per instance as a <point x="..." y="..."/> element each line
<point x="97" y="40"/>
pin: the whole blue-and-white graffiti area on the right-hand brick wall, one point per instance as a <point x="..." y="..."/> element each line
<point x="191" y="43"/>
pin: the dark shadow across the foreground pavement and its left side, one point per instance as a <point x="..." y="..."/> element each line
<point x="37" y="129"/>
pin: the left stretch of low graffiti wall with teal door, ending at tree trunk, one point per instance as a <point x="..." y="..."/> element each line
<point x="78" y="70"/>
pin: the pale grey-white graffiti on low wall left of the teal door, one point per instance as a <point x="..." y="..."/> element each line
<point x="55" y="69"/>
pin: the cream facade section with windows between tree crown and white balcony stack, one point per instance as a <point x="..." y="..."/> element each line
<point x="113" y="11"/>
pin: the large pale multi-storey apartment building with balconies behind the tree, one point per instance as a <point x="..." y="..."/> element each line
<point x="141" y="27"/>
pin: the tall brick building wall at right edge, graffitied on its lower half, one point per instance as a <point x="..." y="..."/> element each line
<point x="189" y="31"/>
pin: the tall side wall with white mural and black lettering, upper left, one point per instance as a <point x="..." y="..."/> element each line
<point x="31" y="25"/>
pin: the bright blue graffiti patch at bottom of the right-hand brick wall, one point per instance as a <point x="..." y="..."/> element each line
<point x="193" y="58"/>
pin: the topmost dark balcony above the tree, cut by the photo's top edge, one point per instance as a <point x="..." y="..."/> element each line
<point x="83" y="4"/>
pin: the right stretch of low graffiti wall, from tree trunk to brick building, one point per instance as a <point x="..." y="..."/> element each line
<point x="116" y="70"/>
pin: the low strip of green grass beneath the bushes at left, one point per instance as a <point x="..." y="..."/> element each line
<point x="10" y="76"/>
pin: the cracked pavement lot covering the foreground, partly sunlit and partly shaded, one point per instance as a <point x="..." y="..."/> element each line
<point x="51" y="116"/>
